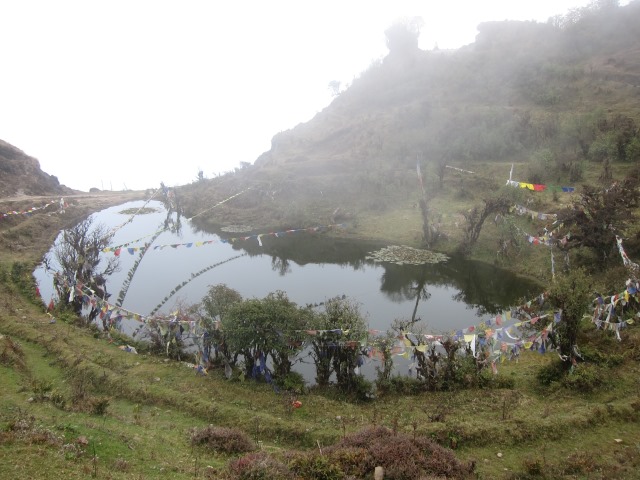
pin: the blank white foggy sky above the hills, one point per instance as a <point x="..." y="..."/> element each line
<point x="119" y="93"/>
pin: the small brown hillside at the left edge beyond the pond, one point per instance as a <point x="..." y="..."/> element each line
<point x="21" y="175"/>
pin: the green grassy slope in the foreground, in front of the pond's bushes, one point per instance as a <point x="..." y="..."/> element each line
<point x="153" y="403"/>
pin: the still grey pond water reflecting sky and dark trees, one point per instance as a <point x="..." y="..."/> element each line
<point x="310" y="267"/>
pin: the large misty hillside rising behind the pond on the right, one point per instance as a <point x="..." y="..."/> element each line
<point x="559" y="100"/>
